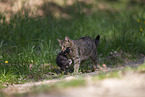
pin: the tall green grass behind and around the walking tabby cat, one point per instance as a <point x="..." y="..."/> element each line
<point x="29" y="43"/>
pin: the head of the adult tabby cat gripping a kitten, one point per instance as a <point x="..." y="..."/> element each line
<point x="64" y="44"/>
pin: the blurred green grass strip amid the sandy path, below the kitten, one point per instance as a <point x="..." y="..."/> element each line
<point x="57" y="86"/>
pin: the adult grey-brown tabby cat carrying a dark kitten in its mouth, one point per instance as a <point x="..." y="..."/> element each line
<point x="80" y="50"/>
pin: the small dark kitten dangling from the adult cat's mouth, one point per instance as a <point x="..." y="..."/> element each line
<point x="62" y="60"/>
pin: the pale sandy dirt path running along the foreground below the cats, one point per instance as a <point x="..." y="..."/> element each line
<point x="130" y="85"/>
